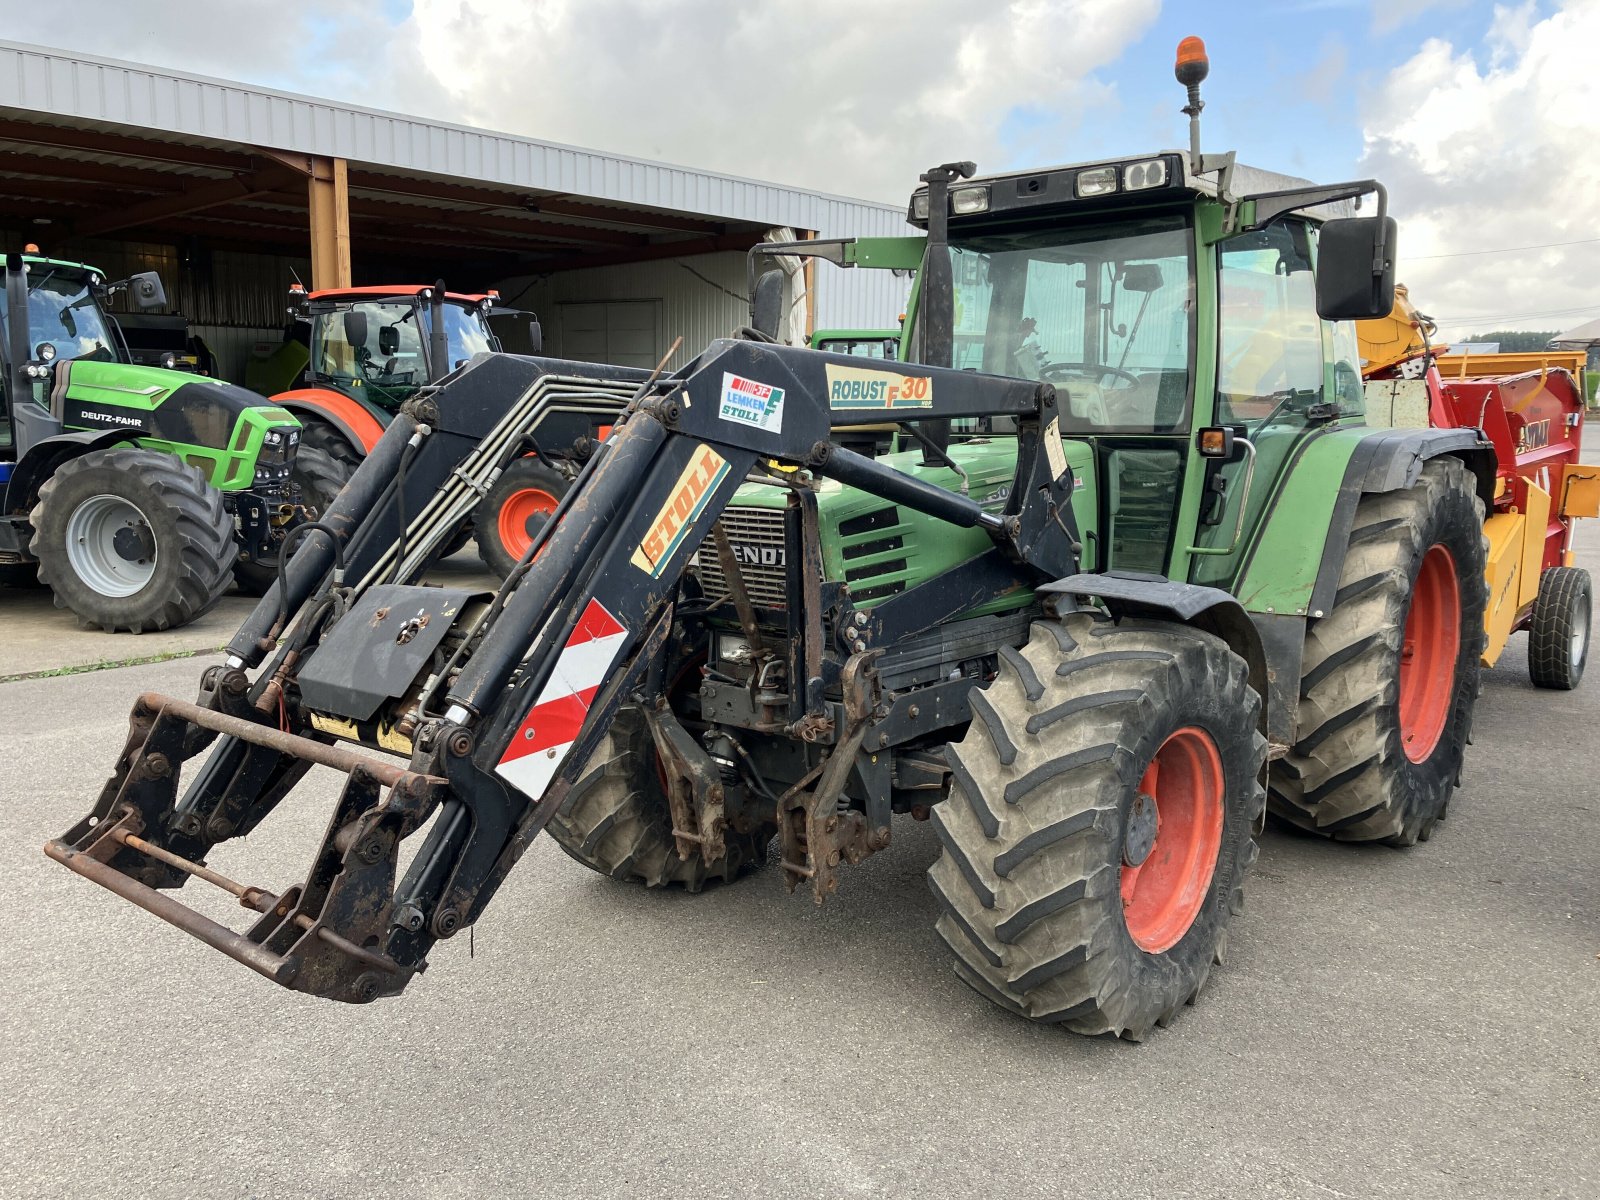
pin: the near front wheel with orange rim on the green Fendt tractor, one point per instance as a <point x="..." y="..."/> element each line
<point x="1100" y="823"/>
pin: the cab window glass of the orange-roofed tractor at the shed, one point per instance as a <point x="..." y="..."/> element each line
<point x="391" y="356"/>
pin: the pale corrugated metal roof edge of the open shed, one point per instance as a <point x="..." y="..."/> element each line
<point x="183" y="106"/>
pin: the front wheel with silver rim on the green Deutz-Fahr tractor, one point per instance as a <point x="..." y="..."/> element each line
<point x="132" y="540"/>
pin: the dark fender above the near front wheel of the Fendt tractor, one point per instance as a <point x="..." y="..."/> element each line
<point x="1209" y="609"/>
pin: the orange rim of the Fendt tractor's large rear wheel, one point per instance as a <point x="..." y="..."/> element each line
<point x="1428" y="655"/>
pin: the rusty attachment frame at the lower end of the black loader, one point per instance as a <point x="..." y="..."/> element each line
<point x="334" y="935"/>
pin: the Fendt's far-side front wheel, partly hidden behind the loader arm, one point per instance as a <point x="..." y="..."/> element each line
<point x="617" y="818"/>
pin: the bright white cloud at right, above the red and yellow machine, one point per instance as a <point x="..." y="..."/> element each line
<point x="1490" y="150"/>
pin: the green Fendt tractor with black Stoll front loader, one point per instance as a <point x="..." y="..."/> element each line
<point x="1105" y="610"/>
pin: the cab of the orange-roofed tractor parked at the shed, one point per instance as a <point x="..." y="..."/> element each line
<point x="382" y="345"/>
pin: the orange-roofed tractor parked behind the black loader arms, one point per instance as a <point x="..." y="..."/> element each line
<point x="372" y="350"/>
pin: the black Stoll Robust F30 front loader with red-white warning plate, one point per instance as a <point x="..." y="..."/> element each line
<point x="502" y="726"/>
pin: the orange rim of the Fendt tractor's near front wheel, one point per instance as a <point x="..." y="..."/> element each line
<point x="1164" y="894"/>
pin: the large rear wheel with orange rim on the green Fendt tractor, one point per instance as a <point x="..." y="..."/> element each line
<point x="1391" y="674"/>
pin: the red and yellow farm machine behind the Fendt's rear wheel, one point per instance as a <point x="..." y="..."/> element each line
<point x="1532" y="409"/>
